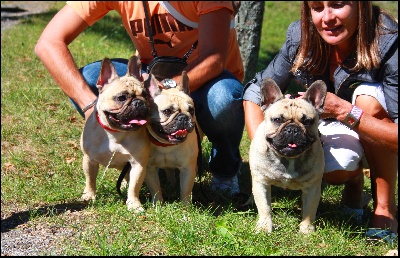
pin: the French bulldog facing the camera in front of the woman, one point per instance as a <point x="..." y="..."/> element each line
<point x="286" y="151"/>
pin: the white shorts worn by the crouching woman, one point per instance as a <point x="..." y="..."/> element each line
<point x="342" y="147"/>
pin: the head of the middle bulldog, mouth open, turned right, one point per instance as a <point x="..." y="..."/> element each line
<point x="172" y="116"/>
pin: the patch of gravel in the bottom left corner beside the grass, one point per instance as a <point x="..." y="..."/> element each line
<point x="22" y="236"/>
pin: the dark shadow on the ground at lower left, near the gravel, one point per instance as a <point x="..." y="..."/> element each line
<point x="23" y="217"/>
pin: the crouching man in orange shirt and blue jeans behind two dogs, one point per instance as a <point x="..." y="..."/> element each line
<point x="215" y="67"/>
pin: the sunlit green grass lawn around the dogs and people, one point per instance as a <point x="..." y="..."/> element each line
<point x="42" y="178"/>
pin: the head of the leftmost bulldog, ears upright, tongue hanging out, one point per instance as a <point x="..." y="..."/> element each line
<point x="123" y="101"/>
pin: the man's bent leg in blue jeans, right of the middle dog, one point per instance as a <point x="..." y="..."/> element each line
<point x="219" y="112"/>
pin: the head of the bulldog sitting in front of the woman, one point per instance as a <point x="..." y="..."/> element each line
<point x="291" y="124"/>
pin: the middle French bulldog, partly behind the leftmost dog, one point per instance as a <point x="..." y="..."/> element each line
<point x="171" y="128"/>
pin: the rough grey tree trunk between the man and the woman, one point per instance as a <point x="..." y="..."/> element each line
<point x="248" y="26"/>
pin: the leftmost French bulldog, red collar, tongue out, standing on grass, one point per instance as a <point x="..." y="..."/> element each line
<point x="115" y="133"/>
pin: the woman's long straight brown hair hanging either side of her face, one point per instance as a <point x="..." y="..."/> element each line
<point x="313" y="52"/>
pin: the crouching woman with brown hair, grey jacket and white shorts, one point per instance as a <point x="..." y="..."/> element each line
<point x="352" y="46"/>
